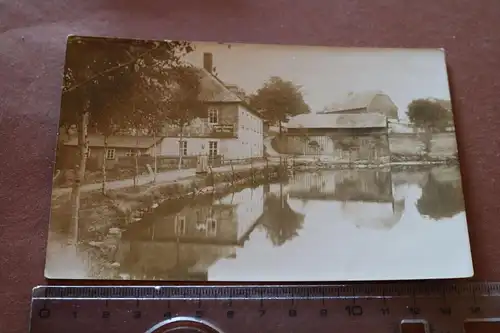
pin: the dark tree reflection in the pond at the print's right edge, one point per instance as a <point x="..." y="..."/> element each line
<point x="440" y="199"/>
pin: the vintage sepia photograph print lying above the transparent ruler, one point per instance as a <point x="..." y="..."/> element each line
<point x="198" y="161"/>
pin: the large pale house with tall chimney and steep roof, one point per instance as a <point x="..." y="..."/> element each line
<point x="231" y="128"/>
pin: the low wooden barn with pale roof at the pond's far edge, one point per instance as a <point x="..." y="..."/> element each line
<point x="341" y="137"/>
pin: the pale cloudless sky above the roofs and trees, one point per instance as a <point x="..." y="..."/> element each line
<point x="328" y="74"/>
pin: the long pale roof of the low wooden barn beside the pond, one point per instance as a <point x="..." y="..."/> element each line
<point x="333" y="120"/>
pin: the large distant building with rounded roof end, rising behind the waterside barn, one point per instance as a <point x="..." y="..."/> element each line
<point x="366" y="102"/>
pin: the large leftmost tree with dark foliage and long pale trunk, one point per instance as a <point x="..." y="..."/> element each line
<point x="98" y="70"/>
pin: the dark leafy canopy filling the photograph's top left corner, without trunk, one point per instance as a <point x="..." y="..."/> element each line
<point x="119" y="83"/>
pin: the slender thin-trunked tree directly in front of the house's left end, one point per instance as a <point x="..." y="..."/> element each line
<point x="184" y="104"/>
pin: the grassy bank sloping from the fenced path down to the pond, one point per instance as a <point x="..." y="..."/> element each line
<point x="123" y="206"/>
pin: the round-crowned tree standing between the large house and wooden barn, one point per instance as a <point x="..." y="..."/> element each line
<point x="278" y="100"/>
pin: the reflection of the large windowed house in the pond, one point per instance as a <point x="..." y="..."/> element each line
<point x="182" y="240"/>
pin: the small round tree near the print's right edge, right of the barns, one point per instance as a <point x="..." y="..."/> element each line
<point x="430" y="116"/>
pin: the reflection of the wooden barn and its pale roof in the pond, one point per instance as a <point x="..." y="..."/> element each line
<point x="367" y="198"/>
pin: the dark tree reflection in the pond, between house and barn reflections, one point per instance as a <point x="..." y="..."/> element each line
<point x="279" y="220"/>
